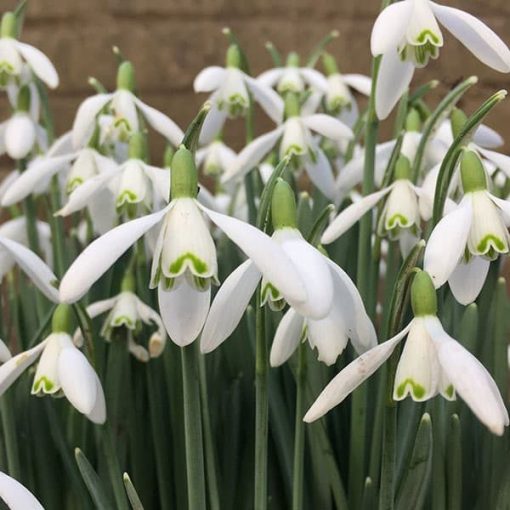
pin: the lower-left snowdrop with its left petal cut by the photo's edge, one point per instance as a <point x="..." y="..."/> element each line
<point x="62" y="368"/>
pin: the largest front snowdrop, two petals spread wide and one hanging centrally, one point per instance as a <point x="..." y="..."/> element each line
<point x="184" y="263"/>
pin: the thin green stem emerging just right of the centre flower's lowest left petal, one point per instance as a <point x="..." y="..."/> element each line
<point x="299" y="436"/>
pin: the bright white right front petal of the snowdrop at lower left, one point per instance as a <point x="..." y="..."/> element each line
<point x="78" y="379"/>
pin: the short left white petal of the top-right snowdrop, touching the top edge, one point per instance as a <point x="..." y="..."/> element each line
<point x="390" y="27"/>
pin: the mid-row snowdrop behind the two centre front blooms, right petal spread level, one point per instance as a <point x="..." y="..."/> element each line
<point x="296" y="139"/>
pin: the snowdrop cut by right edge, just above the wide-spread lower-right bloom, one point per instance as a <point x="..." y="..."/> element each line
<point x="466" y="239"/>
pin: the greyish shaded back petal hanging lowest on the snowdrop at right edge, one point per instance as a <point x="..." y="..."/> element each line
<point x="467" y="280"/>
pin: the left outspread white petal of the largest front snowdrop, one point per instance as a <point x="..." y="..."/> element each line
<point x="95" y="260"/>
